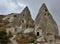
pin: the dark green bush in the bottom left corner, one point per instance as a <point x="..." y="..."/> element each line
<point x="4" y="39"/>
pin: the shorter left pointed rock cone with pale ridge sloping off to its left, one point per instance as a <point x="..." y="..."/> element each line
<point x="18" y="19"/>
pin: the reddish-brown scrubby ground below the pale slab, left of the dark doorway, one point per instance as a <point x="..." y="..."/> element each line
<point x="25" y="39"/>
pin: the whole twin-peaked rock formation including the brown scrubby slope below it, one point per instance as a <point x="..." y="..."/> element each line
<point x="23" y="27"/>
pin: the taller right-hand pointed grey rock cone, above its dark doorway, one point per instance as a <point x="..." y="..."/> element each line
<point x="44" y="20"/>
